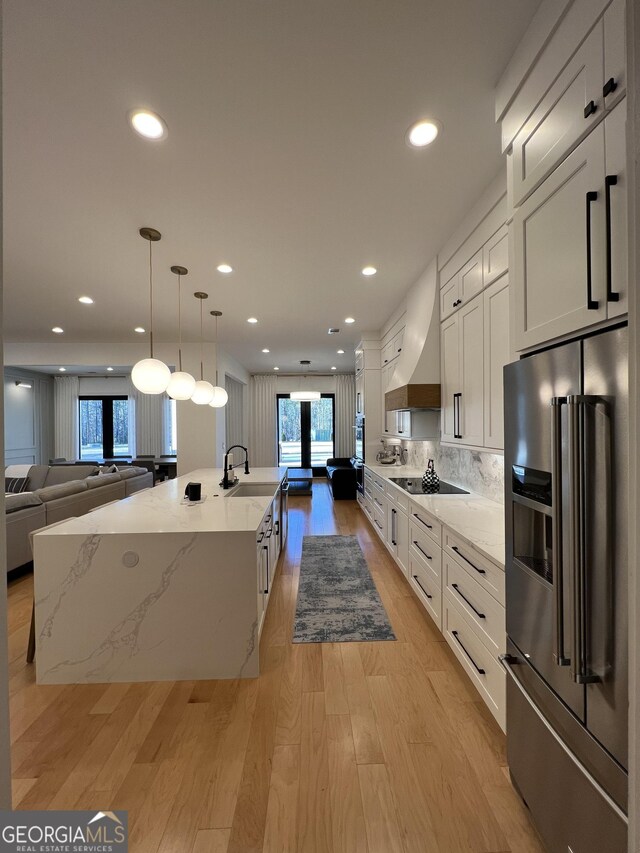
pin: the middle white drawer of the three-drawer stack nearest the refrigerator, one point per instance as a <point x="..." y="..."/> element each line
<point x="479" y="606"/>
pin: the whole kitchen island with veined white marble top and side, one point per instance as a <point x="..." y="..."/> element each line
<point x="154" y="588"/>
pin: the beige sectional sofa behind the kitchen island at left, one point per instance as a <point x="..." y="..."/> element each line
<point x="63" y="491"/>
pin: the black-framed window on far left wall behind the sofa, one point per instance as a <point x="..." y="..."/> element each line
<point x="104" y="427"/>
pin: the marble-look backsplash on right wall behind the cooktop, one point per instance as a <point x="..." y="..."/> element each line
<point x="480" y="472"/>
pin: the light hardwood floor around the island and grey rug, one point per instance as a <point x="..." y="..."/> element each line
<point x="343" y="747"/>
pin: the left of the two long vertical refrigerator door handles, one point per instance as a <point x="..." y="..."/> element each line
<point x="557" y="531"/>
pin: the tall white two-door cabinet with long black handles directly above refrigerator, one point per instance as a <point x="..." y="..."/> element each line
<point x="570" y="257"/>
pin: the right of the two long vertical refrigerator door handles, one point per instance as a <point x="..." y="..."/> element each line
<point x="576" y="408"/>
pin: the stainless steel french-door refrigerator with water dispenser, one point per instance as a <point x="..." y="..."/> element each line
<point x="566" y="502"/>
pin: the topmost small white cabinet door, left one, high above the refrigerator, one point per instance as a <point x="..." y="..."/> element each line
<point x="566" y="114"/>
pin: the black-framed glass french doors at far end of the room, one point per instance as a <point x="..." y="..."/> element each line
<point x="306" y="431"/>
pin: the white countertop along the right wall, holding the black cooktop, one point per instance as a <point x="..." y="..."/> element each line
<point x="474" y="518"/>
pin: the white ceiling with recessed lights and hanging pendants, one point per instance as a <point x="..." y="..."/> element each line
<point x="285" y="158"/>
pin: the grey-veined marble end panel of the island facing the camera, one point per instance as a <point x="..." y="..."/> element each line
<point x="145" y="606"/>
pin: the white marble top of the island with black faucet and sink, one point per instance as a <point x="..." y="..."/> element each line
<point x="163" y="508"/>
